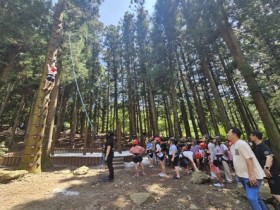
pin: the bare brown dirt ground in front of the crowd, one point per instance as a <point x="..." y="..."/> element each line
<point x="60" y="189"/>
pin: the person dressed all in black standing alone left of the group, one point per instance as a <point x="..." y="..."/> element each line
<point x="109" y="155"/>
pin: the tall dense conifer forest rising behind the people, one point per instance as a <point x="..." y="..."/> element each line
<point x="194" y="67"/>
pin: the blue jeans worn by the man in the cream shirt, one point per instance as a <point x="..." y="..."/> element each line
<point x="253" y="194"/>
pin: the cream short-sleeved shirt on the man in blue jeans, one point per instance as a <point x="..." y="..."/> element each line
<point x="242" y="151"/>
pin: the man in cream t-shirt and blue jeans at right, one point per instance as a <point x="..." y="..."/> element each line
<point x="247" y="168"/>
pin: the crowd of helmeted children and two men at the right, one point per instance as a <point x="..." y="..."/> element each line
<point x="251" y="162"/>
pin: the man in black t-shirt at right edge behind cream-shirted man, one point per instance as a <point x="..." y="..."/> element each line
<point x="269" y="164"/>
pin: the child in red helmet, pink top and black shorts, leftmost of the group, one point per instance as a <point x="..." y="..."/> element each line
<point x="137" y="152"/>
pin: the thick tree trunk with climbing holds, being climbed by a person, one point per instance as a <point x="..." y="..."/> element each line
<point x="31" y="159"/>
